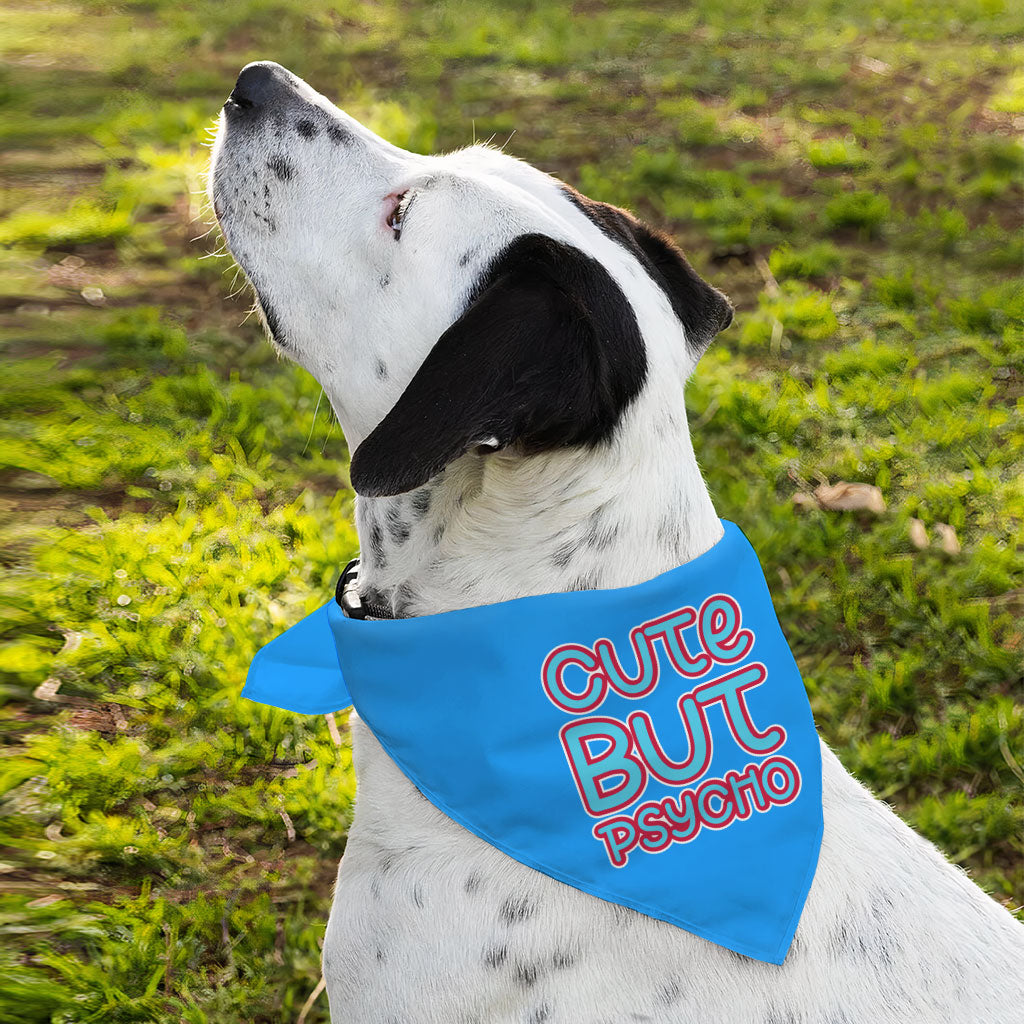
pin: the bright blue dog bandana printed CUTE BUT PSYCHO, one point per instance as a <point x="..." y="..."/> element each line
<point x="652" y="746"/>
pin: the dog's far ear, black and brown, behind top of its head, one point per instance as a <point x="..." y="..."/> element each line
<point x="704" y="311"/>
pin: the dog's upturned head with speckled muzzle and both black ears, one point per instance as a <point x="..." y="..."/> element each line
<point x="448" y="305"/>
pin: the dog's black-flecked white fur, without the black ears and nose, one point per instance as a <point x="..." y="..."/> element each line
<point x="430" y="923"/>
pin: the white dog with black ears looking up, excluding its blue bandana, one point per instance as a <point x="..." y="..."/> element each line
<point x="507" y="360"/>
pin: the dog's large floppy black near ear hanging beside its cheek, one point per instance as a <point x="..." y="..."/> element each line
<point x="547" y="355"/>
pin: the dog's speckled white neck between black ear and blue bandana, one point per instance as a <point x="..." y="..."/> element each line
<point x="498" y="527"/>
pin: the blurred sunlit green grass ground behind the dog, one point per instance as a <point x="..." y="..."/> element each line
<point x="173" y="496"/>
